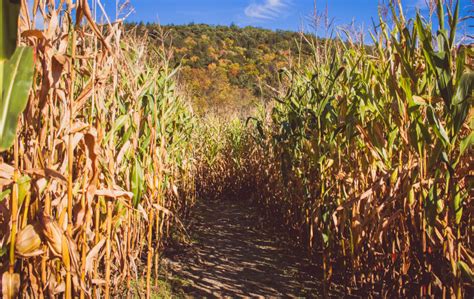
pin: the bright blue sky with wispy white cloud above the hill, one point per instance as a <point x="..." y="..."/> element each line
<point x="273" y="14"/>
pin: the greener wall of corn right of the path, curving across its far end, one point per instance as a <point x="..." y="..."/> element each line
<point x="366" y="157"/>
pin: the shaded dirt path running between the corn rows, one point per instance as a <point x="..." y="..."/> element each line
<point x="233" y="256"/>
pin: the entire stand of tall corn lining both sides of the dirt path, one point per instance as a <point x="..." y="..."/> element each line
<point x="364" y="156"/>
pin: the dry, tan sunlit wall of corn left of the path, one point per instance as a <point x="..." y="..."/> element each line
<point x="101" y="162"/>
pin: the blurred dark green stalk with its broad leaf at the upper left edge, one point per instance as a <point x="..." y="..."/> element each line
<point x="16" y="74"/>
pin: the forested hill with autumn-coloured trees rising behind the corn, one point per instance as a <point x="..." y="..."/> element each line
<point x="227" y="68"/>
